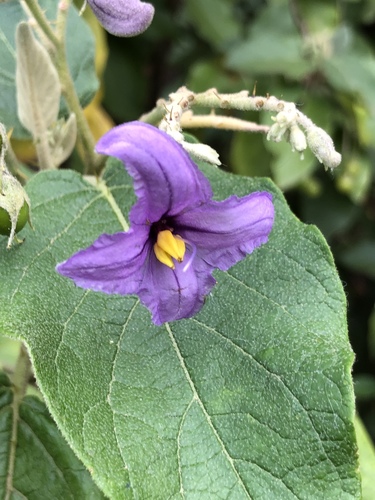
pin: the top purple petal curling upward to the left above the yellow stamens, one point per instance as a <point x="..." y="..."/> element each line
<point x="166" y="181"/>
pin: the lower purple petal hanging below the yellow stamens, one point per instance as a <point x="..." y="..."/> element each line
<point x="172" y="294"/>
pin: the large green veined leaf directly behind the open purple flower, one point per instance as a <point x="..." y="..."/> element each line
<point x="251" y="398"/>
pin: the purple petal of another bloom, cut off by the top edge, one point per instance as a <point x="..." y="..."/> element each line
<point x="123" y="17"/>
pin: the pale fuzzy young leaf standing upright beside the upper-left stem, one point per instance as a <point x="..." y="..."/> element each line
<point x="38" y="84"/>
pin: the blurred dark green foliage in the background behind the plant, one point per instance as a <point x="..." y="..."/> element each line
<point x="319" y="54"/>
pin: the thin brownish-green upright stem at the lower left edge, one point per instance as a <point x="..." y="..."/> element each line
<point x="20" y="380"/>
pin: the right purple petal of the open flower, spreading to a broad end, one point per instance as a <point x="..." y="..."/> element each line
<point x="225" y="231"/>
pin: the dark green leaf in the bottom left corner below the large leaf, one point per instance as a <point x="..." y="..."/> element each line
<point x="35" y="460"/>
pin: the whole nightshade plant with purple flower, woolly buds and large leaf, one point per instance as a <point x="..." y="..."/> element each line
<point x="238" y="384"/>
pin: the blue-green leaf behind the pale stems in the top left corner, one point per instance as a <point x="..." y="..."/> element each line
<point x="80" y="53"/>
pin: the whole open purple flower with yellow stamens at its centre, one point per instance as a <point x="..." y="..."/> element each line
<point x="178" y="234"/>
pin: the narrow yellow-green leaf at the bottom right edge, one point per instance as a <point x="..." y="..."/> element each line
<point x="366" y="460"/>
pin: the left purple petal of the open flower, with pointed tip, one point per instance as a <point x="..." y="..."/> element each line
<point x="112" y="264"/>
